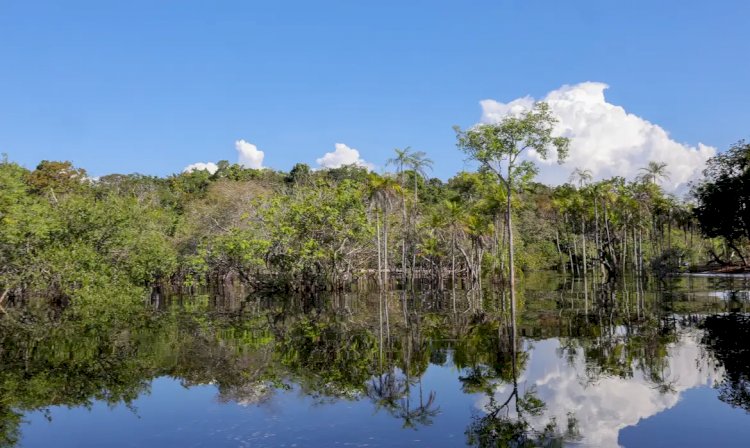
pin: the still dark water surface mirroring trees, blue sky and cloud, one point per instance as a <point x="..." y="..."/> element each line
<point x="634" y="364"/>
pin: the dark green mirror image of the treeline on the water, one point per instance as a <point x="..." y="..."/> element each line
<point x="365" y="347"/>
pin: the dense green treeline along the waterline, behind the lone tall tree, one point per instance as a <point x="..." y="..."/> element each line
<point x="64" y="235"/>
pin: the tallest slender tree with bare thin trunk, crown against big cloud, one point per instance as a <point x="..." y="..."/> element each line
<point x="497" y="147"/>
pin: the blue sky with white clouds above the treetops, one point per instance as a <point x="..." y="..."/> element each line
<point x="157" y="86"/>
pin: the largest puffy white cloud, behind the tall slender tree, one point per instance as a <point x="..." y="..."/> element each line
<point x="606" y="139"/>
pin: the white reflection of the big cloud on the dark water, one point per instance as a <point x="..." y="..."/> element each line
<point x="573" y="401"/>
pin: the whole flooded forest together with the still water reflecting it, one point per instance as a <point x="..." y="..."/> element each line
<point x="253" y="307"/>
